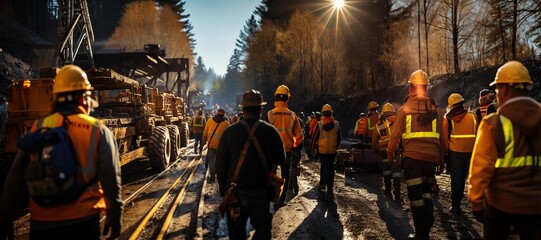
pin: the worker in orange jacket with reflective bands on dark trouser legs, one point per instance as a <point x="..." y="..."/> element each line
<point x="418" y="124"/>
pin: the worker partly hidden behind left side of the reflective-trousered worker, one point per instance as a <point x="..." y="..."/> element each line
<point x="380" y="140"/>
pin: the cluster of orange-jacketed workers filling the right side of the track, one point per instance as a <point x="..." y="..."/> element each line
<point x="494" y="147"/>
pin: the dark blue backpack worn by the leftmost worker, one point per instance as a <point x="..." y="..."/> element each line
<point x="51" y="175"/>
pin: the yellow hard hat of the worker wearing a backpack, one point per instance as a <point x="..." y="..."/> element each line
<point x="71" y="78"/>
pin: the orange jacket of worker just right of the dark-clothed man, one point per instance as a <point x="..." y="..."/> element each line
<point x="287" y="124"/>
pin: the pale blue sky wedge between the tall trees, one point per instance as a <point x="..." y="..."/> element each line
<point x="217" y="24"/>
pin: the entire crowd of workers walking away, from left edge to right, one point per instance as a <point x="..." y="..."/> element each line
<point x="498" y="153"/>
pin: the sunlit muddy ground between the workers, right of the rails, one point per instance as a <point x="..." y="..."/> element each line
<point x="358" y="210"/>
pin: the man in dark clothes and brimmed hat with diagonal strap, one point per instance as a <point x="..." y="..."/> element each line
<point x="250" y="179"/>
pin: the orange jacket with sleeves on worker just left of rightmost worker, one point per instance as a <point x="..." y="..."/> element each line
<point x="463" y="132"/>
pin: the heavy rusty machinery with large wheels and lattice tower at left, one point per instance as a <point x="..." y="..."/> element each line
<point x="146" y="119"/>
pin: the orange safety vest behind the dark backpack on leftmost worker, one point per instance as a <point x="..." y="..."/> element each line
<point x="85" y="129"/>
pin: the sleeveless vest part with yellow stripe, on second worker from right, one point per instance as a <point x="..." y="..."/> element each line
<point x="462" y="137"/>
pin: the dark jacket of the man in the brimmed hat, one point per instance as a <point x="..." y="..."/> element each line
<point x="252" y="174"/>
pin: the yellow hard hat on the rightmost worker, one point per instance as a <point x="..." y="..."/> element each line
<point x="512" y="72"/>
